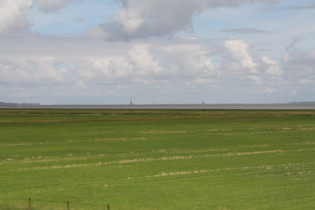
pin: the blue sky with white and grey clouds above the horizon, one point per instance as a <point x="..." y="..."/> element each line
<point x="157" y="51"/>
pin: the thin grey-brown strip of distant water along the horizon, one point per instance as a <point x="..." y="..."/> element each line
<point x="287" y="106"/>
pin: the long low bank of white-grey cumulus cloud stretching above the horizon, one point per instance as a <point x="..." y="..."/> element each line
<point x="92" y="68"/>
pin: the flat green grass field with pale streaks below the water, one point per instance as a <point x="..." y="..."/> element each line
<point x="157" y="159"/>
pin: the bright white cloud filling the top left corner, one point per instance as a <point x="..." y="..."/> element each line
<point x="13" y="18"/>
